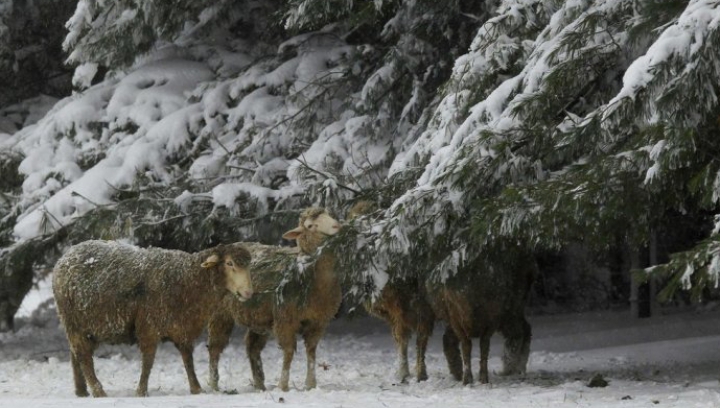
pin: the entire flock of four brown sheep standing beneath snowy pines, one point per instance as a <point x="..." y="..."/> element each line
<point x="109" y="292"/>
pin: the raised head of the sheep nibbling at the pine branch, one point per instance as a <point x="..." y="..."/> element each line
<point x="315" y="225"/>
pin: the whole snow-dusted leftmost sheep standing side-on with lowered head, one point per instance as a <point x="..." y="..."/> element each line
<point x="114" y="293"/>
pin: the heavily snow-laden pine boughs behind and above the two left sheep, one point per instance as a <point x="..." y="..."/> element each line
<point x="220" y="120"/>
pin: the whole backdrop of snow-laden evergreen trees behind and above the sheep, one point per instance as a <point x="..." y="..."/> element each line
<point x="584" y="130"/>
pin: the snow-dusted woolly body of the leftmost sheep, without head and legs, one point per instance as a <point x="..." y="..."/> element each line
<point x="104" y="289"/>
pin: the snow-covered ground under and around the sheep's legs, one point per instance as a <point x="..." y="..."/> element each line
<point x="667" y="361"/>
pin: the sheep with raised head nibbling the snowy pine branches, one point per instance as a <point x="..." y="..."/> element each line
<point x="305" y="310"/>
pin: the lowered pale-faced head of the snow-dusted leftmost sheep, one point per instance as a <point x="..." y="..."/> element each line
<point x="234" y="261"/>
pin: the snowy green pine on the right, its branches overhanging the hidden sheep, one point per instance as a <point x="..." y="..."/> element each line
<point x="606" y="130"/>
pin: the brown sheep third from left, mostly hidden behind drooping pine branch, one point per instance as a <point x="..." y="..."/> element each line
<point x="403" y="305"/>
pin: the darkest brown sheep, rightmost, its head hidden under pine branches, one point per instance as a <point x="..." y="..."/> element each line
<point x="481" y="299"/>
